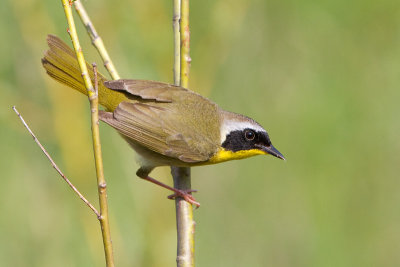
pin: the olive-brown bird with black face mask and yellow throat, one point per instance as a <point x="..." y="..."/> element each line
<point x="165" y="124"/>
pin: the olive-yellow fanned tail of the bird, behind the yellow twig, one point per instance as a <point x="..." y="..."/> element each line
<point x="61" y="64"/>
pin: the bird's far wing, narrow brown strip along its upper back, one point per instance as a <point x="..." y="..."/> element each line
<point x="148" y="90"/>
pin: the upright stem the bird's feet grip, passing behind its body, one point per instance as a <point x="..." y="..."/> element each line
<point x="184" y="210"/>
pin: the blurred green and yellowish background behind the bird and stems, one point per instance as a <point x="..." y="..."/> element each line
<point x="322" y="77"/>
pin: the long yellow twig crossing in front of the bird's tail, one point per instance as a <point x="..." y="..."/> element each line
<point x="94" y="101"/>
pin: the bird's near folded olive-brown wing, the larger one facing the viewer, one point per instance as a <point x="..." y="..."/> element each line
<point x="159" y="129"/>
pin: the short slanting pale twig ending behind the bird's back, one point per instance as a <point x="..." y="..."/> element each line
<point x="96" y="40"/>
